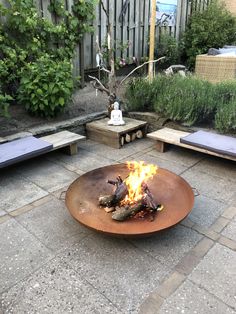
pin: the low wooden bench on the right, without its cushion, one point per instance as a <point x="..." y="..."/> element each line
<point x="166" y="136"/>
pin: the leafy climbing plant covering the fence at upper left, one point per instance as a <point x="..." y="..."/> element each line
<point x="25" y="38"/>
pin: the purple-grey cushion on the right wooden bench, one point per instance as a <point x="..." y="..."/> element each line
<point x="221" y="144"/>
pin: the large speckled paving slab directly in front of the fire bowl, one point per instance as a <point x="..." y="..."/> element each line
<point x="117" y="269"/>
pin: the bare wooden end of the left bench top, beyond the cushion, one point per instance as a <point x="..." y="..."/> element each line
<point x="62" y="139"/>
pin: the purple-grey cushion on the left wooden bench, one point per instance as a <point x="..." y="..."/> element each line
<point x="22" y="149"/>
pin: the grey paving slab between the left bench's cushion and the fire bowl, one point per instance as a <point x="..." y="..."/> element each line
<point x="46" y="174"/>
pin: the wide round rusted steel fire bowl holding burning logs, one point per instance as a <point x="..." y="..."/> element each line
<point x="167" y="188"/>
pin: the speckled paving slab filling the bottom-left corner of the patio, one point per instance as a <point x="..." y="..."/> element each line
<point x="56" y="288"/>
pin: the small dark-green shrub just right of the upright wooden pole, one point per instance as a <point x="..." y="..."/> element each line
<point x="168" y="47"/>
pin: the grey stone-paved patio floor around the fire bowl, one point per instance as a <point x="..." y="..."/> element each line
<point x="49" y="263"/>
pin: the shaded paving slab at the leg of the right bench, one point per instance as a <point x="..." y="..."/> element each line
<point x="178" y="155"/>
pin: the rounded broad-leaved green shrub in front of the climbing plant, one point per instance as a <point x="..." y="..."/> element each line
<point x="46" y="86"/>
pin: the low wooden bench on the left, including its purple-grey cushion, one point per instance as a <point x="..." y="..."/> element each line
<point x="29" y="147"/>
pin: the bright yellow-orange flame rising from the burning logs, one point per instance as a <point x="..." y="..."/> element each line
<point x="139" y="174"/>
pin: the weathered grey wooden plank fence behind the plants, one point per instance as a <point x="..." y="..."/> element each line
<point x="131" y="28"/>
